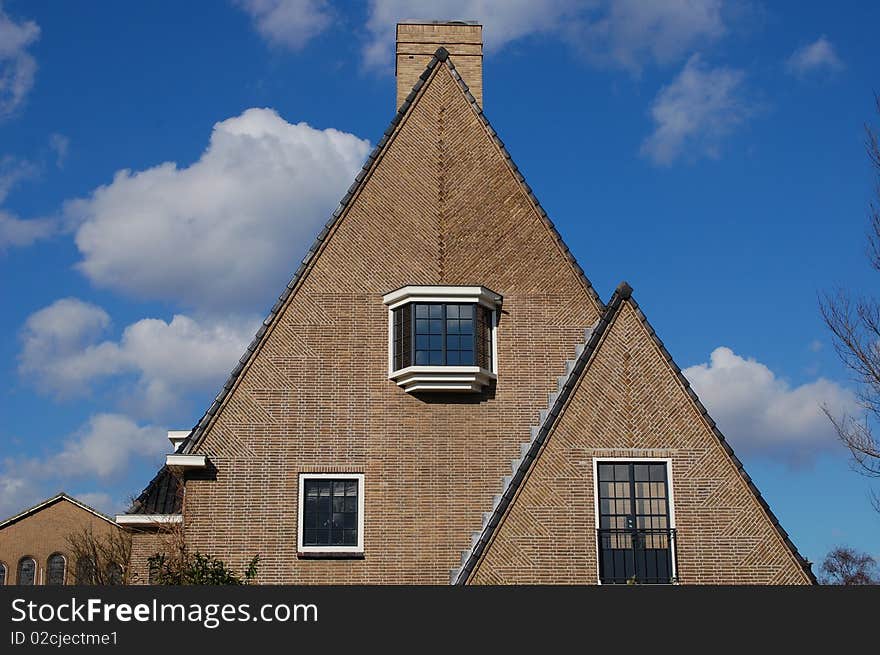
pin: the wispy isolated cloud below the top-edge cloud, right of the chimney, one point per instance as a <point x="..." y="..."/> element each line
<point x="694" y="113"/>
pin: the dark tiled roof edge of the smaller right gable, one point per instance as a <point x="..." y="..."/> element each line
<point x="514" y="483"/>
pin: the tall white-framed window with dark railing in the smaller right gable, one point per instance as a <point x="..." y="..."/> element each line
<point x="635" y="533"/>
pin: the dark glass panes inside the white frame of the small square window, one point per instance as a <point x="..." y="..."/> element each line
<point x="330" y="512"/>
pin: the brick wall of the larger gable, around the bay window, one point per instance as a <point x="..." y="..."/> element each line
<point x="442" y="206"/>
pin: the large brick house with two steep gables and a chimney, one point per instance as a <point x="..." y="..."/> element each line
<point x="440" y="395"/>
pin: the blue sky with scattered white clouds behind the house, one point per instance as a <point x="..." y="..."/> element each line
<point x="709" y="152"/>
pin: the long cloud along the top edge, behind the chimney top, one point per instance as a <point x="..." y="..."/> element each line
<point x="617" y="33"/>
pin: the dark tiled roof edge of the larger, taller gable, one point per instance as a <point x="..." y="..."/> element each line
<point x="441" y="57"/>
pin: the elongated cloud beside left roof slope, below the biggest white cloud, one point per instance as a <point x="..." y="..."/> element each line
<point x="63" y="353"/>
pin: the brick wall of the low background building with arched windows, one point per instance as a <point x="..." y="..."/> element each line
<point x="45" y="533"/>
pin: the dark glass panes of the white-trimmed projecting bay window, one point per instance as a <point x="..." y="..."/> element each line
<point x="436" y="334"/>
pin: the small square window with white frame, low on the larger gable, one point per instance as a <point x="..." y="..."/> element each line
<point x="331" y="513"/>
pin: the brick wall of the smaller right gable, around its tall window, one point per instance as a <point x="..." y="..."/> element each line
<point x="629" y="403"/>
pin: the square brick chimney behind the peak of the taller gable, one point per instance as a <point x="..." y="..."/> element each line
<point x="417" y="41"/>
